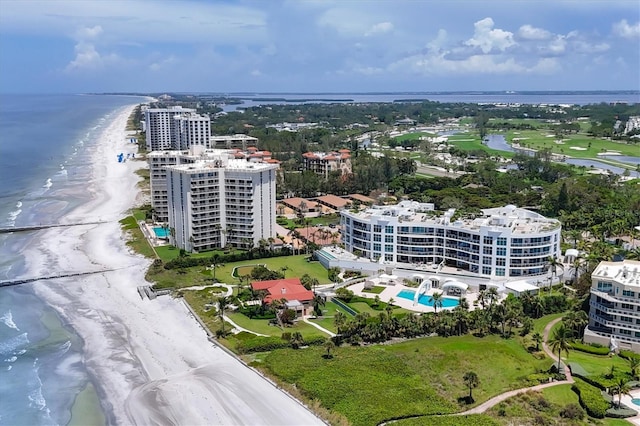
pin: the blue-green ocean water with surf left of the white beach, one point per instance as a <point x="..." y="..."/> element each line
<point x="45" y="147"/>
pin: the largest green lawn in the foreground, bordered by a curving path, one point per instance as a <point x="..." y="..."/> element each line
<point x="421" y="376"/>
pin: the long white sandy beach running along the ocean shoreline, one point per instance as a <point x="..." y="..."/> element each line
<point x="150" y="361"/>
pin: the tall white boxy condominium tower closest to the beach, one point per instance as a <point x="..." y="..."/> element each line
<point x="218" y="201"/>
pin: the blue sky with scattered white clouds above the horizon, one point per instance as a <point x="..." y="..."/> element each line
<point x="318" y="45"/>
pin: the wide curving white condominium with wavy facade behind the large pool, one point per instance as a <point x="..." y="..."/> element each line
<point x="502" y="242"/>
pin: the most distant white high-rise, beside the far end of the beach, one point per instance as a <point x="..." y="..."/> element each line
<point x="175" y="128"/>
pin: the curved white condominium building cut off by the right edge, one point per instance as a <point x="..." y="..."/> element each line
<point x="614" y="315"/>
